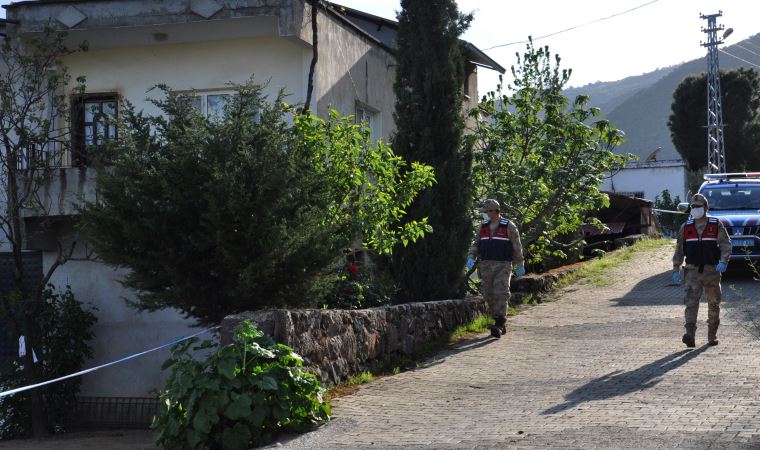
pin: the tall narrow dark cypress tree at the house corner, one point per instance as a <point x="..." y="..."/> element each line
<point x="429" y="89"/>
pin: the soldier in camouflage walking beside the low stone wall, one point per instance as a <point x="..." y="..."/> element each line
<point x="498" y="246"/>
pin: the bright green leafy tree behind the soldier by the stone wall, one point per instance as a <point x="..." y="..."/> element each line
<point x="543" y="158"/>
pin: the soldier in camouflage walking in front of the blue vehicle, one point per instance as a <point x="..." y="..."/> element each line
<point x="705" y="244"/>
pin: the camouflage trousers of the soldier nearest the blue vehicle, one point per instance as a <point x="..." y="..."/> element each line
<point x="694" y="283"/>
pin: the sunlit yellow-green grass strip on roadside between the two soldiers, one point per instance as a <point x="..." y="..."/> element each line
<point x="595" y="271"/>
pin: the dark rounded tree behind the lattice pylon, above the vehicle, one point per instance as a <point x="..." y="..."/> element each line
<point x="740" y="95"/>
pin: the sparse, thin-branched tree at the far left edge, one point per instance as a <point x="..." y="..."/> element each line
<point x="34" y="118"/>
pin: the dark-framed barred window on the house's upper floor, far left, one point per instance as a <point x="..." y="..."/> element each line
<point x="94" y="127"/>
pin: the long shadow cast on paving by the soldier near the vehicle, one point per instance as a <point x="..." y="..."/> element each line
<point x="619" y="383"/>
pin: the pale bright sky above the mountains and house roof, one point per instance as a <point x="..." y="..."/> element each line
<point x="659" y="33"/>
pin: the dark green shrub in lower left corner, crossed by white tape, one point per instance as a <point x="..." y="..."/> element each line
<point x="64" y="329"/>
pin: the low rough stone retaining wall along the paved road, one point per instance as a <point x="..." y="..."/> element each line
<point x="337" y="344"/>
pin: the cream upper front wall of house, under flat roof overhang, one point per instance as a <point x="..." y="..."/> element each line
<point x="206" y="66"/>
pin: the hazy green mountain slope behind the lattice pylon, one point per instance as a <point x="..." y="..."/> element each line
<point x="640" y="105"/>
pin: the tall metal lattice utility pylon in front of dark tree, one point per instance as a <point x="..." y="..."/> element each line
<point x="716" y="152"/>
